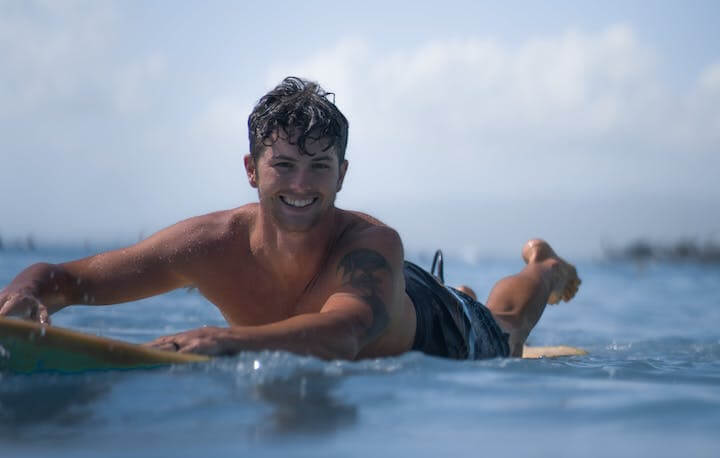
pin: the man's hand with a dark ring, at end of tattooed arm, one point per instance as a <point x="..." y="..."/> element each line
<point x="208" y="340"/>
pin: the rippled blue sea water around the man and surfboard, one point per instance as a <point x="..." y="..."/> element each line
<point x="649" y="387"/>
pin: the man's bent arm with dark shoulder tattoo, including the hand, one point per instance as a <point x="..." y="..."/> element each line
<point x="369" y="282"/>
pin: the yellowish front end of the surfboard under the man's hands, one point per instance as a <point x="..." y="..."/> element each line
<point x="27" y="347"/>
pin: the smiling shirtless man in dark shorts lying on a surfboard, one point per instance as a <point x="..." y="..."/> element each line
<point x="293" y="272"/>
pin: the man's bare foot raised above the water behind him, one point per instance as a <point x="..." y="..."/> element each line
<point x="565" y="281"/>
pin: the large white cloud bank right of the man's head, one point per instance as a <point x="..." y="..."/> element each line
<point x="574" y="136"/>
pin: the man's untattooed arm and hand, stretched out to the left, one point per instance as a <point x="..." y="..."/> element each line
<point x="152" y="266"/>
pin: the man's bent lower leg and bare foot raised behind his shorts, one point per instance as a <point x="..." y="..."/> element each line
<point x="517" y="302"/>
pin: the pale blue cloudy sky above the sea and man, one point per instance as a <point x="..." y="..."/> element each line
<point x="473" y="125"/>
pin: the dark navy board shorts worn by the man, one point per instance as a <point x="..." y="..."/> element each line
<point x="450" y="323"/>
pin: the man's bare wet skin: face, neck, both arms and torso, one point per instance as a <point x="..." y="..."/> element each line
<point x="292" y="272"/>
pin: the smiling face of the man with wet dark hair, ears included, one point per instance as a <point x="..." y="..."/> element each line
<point x="296" y="189"/>
